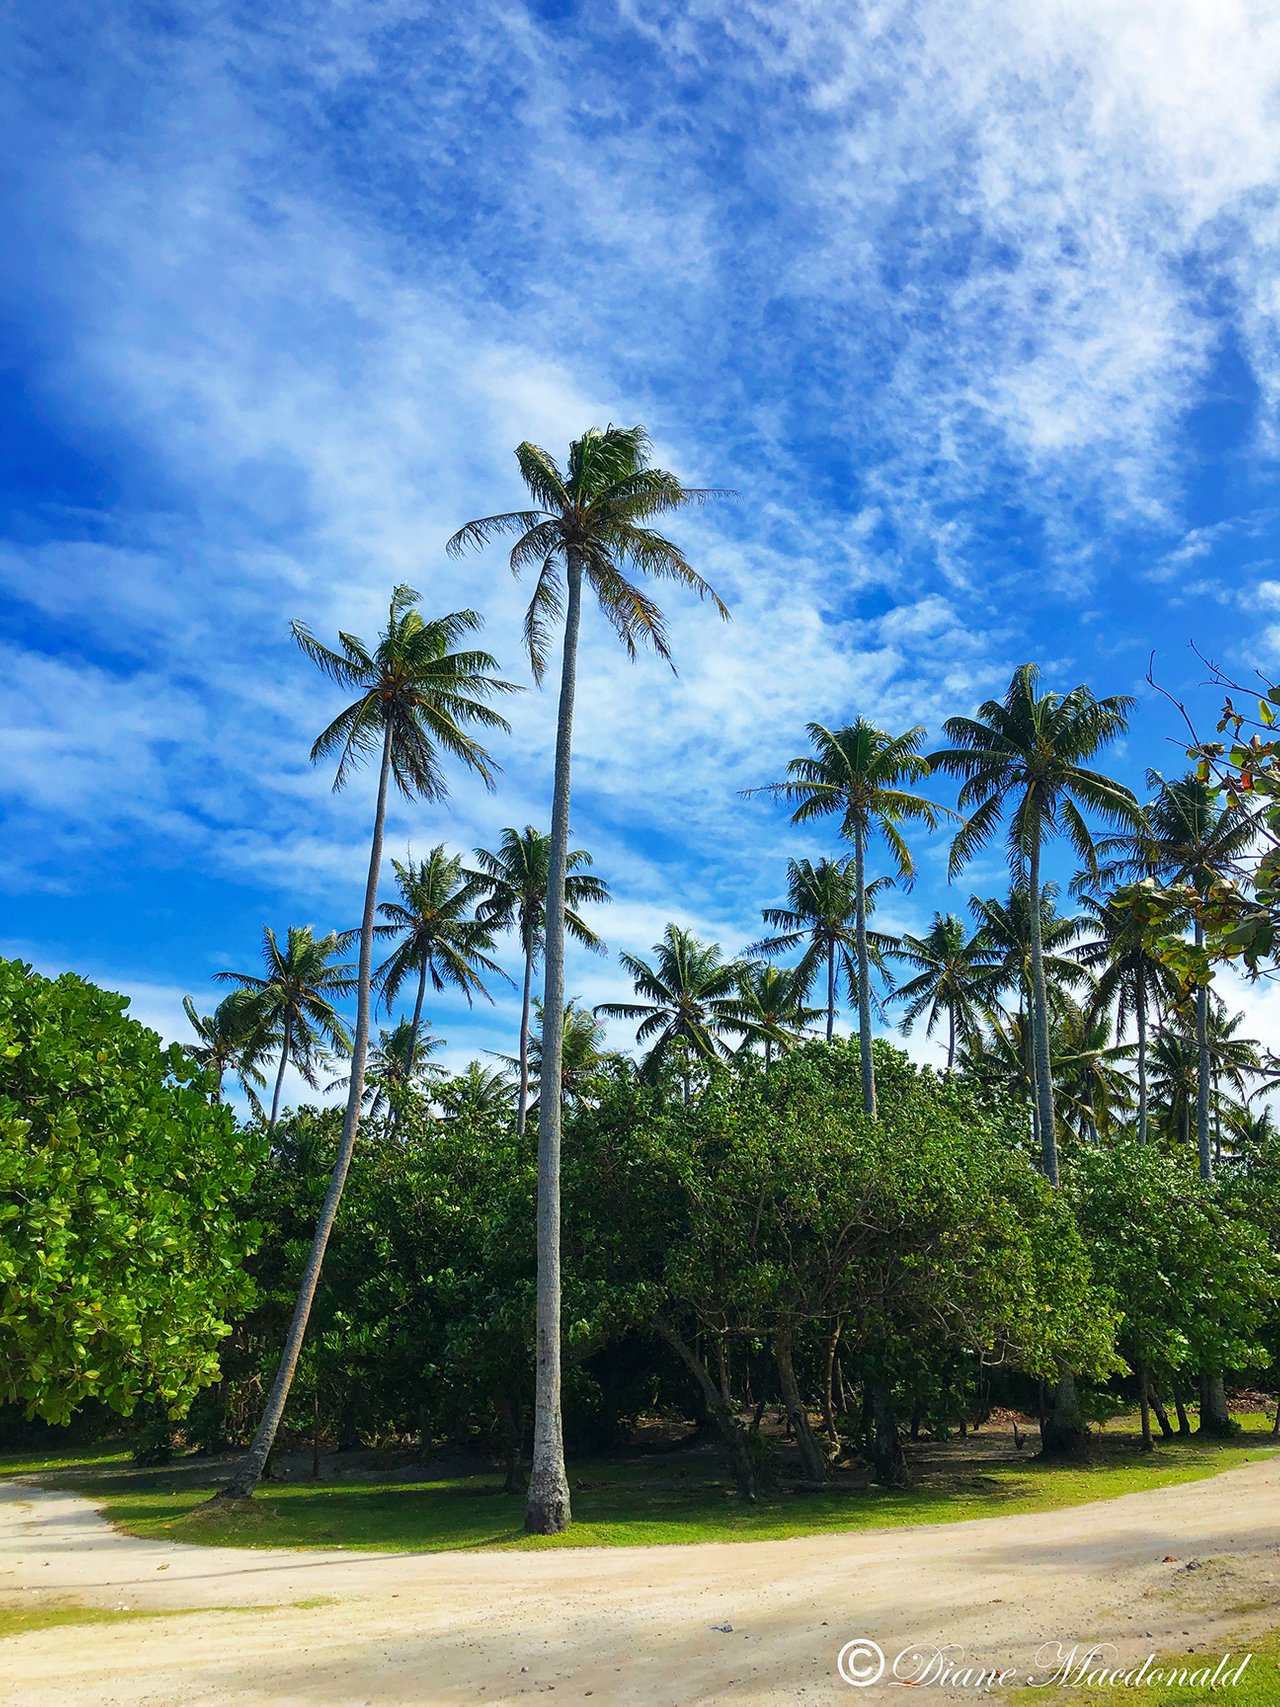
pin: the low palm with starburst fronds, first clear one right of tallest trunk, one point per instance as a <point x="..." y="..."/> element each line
<point x="692" y="1003"/>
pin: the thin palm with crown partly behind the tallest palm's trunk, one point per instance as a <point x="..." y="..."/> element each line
<point x="515" y="899"/>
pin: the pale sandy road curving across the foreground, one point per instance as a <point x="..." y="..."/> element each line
<point x="624" y="1626"/>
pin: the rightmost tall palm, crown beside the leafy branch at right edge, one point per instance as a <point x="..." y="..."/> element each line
<point x="1194" y="841"/>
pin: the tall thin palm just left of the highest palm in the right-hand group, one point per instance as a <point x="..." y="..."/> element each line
<point x="861" y="774"/>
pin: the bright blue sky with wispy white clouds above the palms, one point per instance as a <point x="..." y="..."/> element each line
<point x="975" y="306"/>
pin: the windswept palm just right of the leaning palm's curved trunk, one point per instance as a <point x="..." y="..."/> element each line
<point x="439" y="940"/>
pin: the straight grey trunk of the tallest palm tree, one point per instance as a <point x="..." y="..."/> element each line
<point x="547" y="1508"/>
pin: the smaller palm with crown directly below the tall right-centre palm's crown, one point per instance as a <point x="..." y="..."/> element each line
<point x="822" y="912"/>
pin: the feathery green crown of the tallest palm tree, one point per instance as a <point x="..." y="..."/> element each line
<point x="596" y="511"/>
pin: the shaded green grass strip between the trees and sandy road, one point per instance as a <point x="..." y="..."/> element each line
<point x="631" y="1503"/>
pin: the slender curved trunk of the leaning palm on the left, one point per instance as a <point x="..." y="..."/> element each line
<point x="248" y="1474"/>
